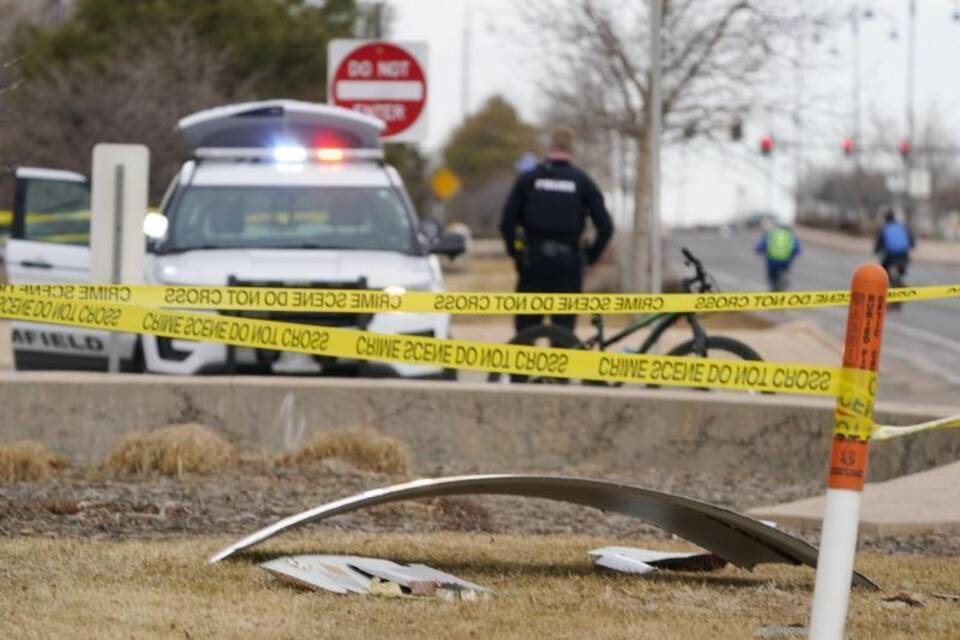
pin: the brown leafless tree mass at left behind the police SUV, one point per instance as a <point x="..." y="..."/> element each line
<point x="54" y="119"/>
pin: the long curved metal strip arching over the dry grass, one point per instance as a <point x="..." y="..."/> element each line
<point x="740" y="540"/>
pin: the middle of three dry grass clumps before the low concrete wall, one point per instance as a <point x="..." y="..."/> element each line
<point x="171" y="451"/>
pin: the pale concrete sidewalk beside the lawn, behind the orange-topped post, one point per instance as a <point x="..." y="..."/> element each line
<point x="920" y="503"/>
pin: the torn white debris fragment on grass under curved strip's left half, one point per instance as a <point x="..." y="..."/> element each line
<point x="355" y="574"/>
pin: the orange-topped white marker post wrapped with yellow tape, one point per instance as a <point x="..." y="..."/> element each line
<point x="848" y="456"/>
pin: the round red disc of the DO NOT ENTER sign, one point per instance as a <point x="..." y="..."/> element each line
<point x="382" y="80"/>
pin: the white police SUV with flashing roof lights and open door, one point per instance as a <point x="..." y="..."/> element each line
<point x="278" y="193"/>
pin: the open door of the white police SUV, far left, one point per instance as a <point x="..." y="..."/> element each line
<point x="50" y="243"/>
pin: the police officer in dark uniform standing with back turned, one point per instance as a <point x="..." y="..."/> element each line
<point x="543" y="221"/>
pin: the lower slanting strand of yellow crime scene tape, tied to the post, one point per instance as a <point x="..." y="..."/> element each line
<point x="455" y="354"/>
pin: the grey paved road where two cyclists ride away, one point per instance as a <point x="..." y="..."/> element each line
<point x="926" y="334"/>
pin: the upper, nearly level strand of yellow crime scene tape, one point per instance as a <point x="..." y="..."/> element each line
<point x="465" y="303"/>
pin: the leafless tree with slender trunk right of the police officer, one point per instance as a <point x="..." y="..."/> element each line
<point x="717" y="58"/>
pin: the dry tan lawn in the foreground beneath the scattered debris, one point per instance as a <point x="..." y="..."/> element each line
<point x="545" y="588"/>
